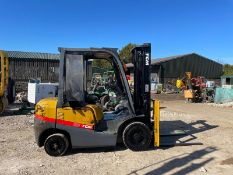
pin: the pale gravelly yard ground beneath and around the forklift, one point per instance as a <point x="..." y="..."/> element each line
<point x="210" y="125"/>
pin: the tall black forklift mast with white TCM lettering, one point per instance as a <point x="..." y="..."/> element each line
<point x="141" y="58"/>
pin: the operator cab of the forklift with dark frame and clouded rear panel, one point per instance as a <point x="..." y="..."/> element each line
<point x="95" y="78"/>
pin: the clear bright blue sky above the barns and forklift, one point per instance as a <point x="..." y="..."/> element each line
<point x="173" y="27"/>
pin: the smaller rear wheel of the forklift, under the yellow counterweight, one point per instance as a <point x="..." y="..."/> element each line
<point x="56" y="144"/>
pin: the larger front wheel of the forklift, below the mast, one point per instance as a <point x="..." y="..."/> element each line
<point x="136" y="136"/>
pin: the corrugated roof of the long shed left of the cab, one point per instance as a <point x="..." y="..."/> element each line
<point x="32" y="55"/>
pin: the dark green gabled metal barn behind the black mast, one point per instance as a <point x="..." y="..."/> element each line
<point x="165" y="70"/>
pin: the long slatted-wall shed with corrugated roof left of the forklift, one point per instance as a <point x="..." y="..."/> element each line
<point x="24" y="66"/>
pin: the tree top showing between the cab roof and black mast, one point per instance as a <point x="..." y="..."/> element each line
<point x="125" y="53"/>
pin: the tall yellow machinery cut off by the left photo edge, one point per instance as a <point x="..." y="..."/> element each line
<point x="4" y="80"/>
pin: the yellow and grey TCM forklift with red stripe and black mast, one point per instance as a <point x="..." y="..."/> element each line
<point x="76" y="119"/>
